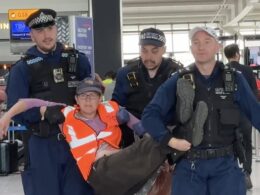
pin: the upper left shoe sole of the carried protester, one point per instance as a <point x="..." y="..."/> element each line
<point x="185" y="96"/>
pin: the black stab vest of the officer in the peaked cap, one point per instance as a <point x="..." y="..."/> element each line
<point x="52" y="82"/>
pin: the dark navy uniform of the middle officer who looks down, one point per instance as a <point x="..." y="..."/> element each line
<point x="134" y="89"/>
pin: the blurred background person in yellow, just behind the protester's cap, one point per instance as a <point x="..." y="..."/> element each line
<point x="109" y="83"/>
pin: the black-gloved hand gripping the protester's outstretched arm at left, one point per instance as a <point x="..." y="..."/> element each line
<point x="54" y="115"/>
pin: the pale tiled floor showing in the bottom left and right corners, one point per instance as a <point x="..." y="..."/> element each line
<point x="11" y="185"/>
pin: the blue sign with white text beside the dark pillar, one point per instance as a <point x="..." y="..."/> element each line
<point x="84" y="40"/>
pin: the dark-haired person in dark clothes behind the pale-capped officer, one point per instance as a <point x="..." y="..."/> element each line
<point x="232" y="54"/>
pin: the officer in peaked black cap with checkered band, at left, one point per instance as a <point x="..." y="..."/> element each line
<point x="50" y="72"/>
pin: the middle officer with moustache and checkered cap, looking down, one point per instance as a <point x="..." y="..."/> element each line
<point x="137" y="82"/>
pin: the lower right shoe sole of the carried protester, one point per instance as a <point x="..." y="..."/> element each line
<point x="197" y="122"/>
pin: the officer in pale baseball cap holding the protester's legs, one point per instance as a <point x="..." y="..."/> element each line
<point x="209" y="168"/>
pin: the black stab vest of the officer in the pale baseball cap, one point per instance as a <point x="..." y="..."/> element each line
<point x="223" y="113"/>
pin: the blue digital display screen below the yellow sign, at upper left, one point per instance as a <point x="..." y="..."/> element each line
<point x="19" y="31"/>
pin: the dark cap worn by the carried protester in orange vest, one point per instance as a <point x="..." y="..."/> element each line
<point x="88" y="85"/>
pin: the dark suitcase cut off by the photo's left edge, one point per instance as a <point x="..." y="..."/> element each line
<point x="4" y="158"/>
